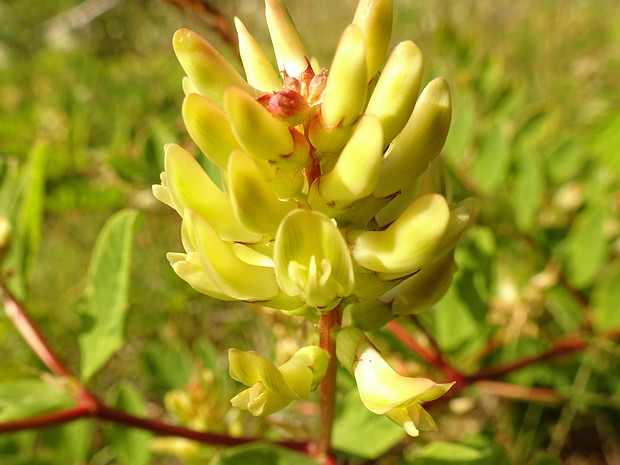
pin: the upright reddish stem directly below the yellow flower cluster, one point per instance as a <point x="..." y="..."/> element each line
<point x="328" y="325"/>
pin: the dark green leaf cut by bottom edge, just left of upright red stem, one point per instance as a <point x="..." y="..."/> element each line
<point x="261" y="454"/>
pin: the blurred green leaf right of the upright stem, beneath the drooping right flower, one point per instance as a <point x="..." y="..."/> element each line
<point x="360" y="432"/>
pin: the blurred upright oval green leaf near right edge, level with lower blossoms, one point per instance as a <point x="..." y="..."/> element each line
<point x="586" y="246"/>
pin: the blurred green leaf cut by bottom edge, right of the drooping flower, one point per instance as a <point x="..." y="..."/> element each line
<point x="476" y="450"/>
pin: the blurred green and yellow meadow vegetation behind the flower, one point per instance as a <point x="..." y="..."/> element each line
<point x="90" y="93"/>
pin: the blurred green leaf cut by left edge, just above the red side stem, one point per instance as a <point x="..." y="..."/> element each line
<point x="29" y="397"/>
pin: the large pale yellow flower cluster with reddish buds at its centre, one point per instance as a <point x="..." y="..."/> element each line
<point x="334" y="191"/>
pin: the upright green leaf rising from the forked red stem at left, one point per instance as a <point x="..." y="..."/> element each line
<point x="106" y="293"/>
